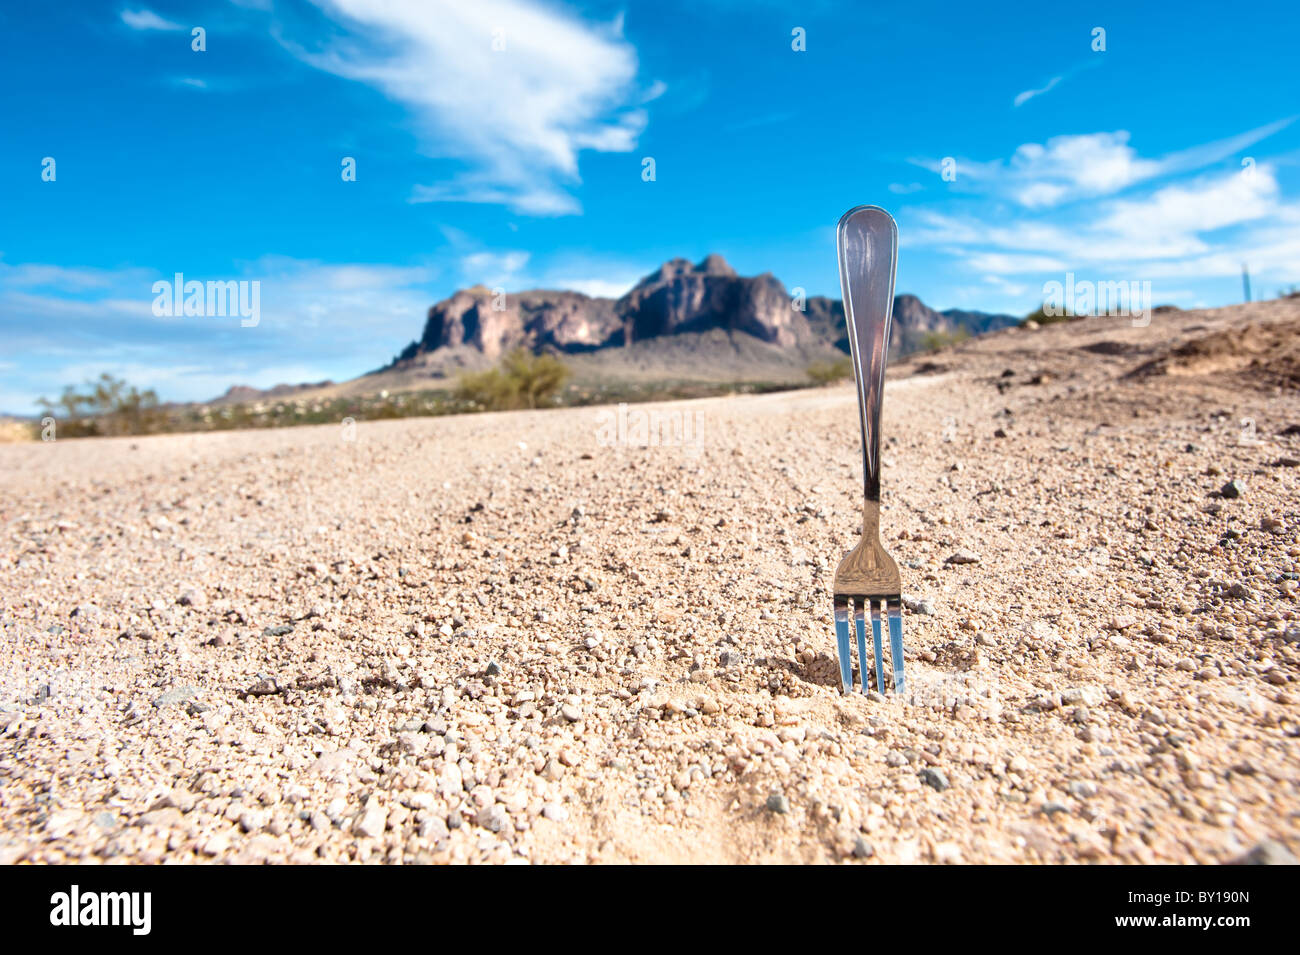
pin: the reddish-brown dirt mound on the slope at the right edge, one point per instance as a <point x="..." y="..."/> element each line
<point x="1263" y="355"/>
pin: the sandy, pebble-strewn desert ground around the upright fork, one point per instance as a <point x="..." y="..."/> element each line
<point x="526" y="639"/>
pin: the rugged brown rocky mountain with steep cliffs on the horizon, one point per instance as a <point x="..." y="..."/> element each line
<point x="677" y="299"/>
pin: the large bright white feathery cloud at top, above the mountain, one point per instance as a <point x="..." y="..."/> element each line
<point x="517" y="118"/>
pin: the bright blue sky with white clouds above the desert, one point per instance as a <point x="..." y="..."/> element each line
<point x="1171" y="157"/>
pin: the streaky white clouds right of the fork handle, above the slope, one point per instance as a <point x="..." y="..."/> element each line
<point x="1093" y="205"/>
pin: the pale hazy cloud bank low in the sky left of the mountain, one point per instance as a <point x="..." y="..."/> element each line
<point x="335" y="320"/>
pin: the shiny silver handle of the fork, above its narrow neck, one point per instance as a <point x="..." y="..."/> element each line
<point x="868" y="242"/>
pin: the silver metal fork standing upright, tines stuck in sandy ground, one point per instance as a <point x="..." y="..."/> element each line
<point x="868" y="578"/>
